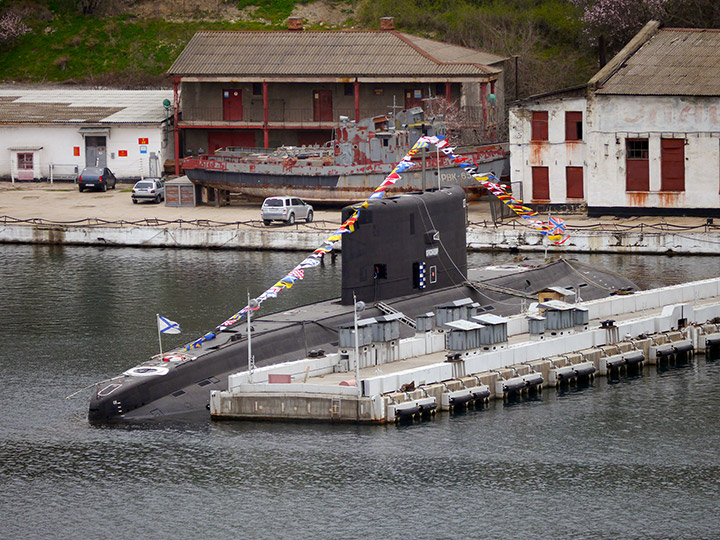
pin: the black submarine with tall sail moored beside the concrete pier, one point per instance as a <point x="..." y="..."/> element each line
<point x="407" y="254"/>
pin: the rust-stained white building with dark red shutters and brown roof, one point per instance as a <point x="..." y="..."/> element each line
<point x="641" y="138"/>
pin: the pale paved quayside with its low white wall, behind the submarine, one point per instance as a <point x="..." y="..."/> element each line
<point x="58" y="214"/>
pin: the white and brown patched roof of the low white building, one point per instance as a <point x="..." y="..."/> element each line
<point x="76" y="105"/>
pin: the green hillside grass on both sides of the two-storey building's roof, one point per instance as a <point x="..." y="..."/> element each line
<point x="133" y="52"/>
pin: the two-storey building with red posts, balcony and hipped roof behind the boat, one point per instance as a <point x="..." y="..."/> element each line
<point x="267" y="89"/>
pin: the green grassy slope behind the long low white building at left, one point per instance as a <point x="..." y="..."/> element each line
<point x="121" y="50"/>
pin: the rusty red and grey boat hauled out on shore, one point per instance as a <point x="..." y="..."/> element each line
<point x="346" y="168"/>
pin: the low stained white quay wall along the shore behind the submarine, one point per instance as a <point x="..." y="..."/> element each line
<point x="302" y="239"/>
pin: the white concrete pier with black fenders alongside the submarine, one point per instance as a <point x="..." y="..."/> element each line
<point x="623" y="333"/>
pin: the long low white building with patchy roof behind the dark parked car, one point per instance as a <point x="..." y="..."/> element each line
<point x="51" y="132"/>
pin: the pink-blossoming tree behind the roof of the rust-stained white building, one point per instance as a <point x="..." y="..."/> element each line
<point x="611" y="23"/>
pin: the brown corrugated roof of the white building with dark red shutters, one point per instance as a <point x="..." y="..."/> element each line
<point x="682" y="62"/>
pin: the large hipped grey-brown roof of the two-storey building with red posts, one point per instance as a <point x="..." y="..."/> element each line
<point x="309" y="53"/>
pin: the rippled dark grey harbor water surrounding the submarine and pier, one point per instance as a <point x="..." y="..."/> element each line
<point x="631" y="457"/>
